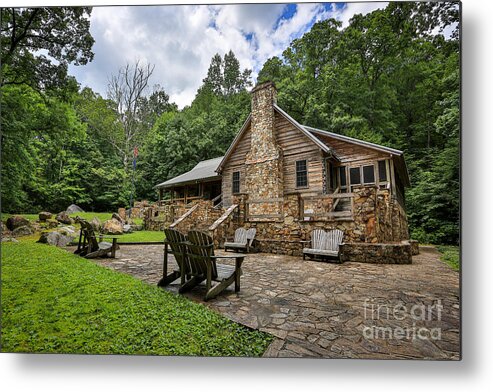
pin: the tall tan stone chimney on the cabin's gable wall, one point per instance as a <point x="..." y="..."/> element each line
<point x="263" y="174"/>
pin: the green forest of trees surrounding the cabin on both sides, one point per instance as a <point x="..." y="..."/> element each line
<point x="391" y="77"/>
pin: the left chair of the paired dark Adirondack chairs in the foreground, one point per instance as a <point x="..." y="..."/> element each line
<point x="174" y="244"/>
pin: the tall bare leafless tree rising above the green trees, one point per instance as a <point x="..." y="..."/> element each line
<point x="127" y="90"/>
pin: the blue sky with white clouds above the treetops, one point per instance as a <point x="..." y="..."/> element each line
<point x="180" y="40"/>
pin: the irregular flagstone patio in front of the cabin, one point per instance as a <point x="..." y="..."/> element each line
<point x="316" y="309"/>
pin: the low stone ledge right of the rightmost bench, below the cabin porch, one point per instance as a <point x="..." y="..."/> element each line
<point x="376" y="253"/>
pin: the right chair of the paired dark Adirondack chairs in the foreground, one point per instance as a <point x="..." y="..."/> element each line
<point x="203" y="266"/>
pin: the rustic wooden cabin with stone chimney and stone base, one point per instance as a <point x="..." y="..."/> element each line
<point x="286" y="179"/>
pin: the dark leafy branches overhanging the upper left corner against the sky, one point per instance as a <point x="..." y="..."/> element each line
<point x="26" y="33"/>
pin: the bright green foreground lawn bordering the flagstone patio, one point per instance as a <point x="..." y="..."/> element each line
<point x="56" y="302"/>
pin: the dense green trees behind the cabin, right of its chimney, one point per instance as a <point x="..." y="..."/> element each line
<point x="387" y="78"/>
